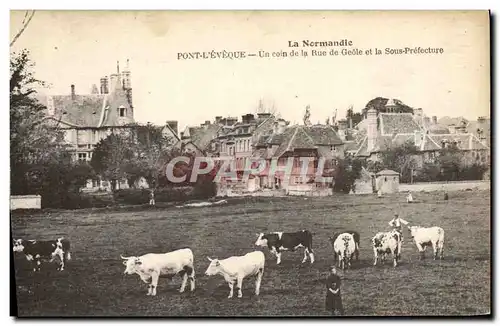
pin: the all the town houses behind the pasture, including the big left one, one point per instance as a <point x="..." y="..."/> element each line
<point x="88" y="118"/>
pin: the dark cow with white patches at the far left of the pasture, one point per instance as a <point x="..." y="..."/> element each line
<point x="38" y="250"/>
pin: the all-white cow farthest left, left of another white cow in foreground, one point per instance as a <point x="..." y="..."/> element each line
<point x="151" y="266"/>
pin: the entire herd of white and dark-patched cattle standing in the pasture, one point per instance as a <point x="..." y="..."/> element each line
<point x="234" y="269"/>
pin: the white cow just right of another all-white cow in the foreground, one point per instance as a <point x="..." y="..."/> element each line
<point x="235" y="269"/>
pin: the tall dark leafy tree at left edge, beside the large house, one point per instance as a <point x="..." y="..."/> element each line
<point x="34" y="143"/>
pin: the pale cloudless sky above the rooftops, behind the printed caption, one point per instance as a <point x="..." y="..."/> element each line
<point x="80" y="47"/>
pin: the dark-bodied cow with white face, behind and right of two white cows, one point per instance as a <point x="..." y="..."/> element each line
<point x="282" y="241"/>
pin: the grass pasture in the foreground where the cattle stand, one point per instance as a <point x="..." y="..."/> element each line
<point x="94" y="285"/>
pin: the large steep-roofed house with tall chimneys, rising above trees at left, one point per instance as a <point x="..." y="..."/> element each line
<point x="87" y="118"/>
